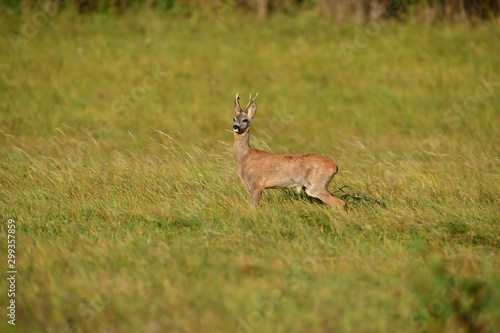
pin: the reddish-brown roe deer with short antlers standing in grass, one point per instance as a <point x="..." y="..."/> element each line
<point x="260" y="170"/>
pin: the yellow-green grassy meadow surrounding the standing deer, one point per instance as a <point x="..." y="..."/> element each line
<point x="116" y="163"/>
